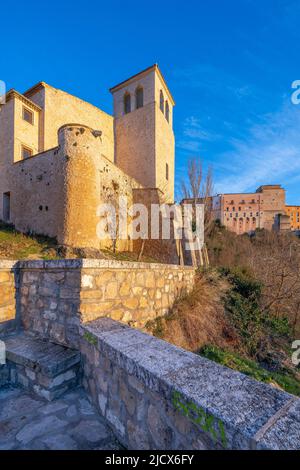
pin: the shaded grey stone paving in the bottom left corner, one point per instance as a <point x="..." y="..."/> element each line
<point x="29" y="422"/>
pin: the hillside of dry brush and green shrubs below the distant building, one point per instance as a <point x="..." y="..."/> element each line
<point x="244" y="311"/>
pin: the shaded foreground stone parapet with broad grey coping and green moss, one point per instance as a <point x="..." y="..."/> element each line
<point x="158" y="396"/>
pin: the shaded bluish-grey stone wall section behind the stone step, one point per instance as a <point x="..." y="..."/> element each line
<point x="50" y="299"/>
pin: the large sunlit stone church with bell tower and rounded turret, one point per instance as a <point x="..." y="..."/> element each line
<point x="60" y="157"/>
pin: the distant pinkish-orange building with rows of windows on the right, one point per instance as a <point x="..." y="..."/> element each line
<point x="246" y="212"/>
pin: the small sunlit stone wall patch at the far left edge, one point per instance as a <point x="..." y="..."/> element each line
<point x="8" y="295"/>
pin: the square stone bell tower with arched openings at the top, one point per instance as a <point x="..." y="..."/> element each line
<point x="143" y="127"/>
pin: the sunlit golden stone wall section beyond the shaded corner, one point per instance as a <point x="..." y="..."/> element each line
<point x="131" y="292"/>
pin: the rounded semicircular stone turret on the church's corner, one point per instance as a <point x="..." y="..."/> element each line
<point x="80" y="147"/>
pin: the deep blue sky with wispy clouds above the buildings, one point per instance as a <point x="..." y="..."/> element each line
<point x="229" y="65"/>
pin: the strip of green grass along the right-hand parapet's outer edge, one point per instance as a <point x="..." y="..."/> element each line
<point x="287" y="381"/>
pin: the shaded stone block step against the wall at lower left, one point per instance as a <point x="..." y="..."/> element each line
<point x="47" y="369"/>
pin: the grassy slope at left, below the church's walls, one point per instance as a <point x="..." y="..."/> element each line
<point x="15" y="245"/>
